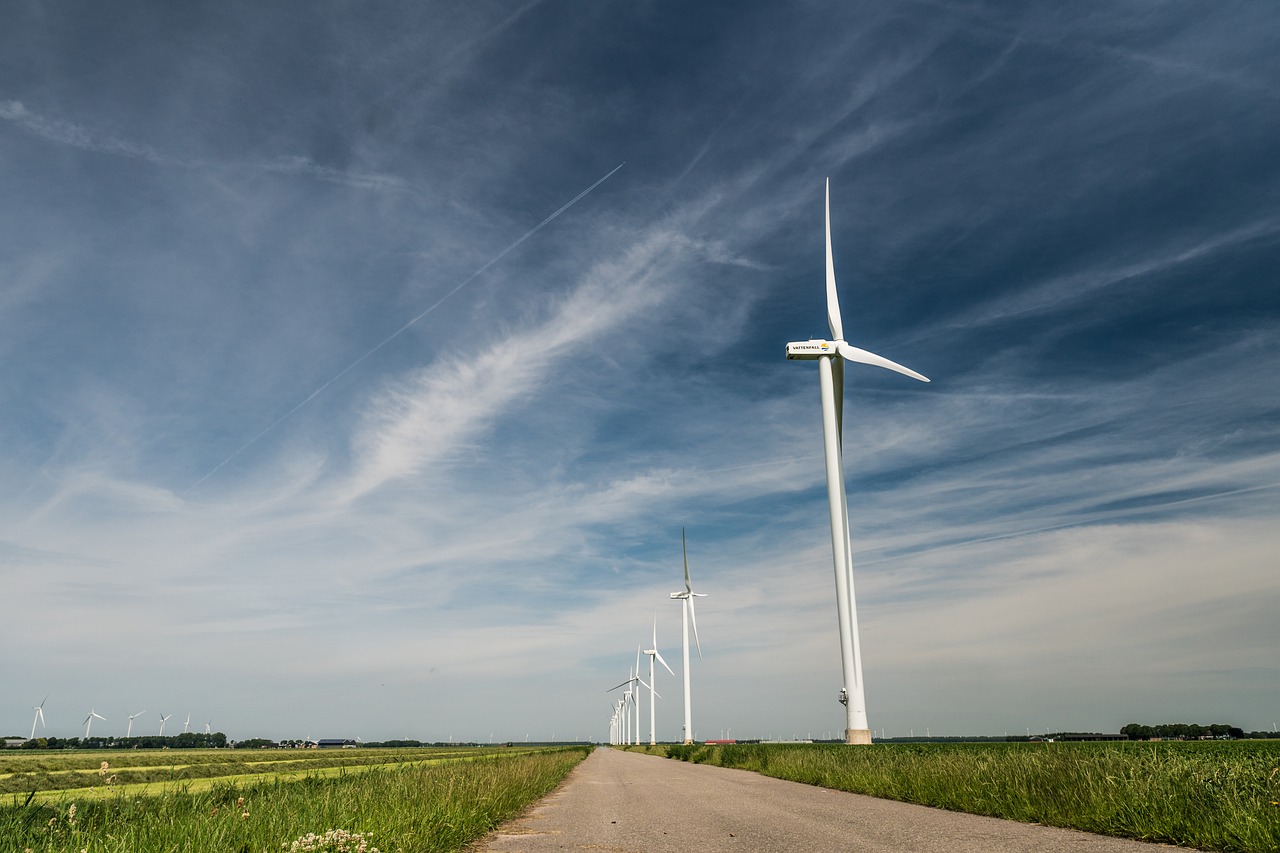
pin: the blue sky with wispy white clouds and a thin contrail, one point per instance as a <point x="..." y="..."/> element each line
<point x="237" y="486"/>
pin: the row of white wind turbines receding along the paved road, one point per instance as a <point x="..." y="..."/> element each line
<point x="831" y="358"/>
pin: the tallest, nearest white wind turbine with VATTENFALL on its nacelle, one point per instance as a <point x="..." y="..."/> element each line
<point x="831" y="357"/>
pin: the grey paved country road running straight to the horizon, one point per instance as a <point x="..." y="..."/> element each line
<point x="634" y="804"/>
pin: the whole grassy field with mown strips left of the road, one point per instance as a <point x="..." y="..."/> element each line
<point x="241" y="801"/>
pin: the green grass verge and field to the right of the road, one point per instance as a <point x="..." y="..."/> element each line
<point x="1213" y="796"/>
